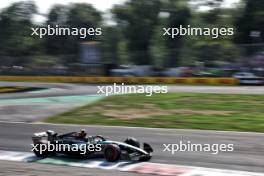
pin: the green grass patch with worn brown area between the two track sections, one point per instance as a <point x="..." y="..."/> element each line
<point x="173" y="110"/>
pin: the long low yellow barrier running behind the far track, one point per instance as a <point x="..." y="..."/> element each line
<point x="128" y="80"/>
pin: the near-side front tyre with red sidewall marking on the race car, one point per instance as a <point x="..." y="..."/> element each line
<point x="112" y="153"/>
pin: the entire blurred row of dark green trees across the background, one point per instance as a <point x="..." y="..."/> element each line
<point x="136" y="36"/>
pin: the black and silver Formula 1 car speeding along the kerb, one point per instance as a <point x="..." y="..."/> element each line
<point x="70" y="144"/>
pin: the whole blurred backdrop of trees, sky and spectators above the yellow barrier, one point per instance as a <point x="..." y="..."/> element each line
<point x="132" y="43"/>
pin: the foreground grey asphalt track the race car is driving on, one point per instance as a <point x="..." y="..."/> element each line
<point x="247" y="156"/>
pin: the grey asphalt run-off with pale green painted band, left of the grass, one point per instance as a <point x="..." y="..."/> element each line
<point x="37" y="105"/>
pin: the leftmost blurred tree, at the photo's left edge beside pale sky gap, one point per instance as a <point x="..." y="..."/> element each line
<point x="15" y="23"/>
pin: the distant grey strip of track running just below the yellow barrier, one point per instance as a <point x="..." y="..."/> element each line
<point x="64" y="89"/>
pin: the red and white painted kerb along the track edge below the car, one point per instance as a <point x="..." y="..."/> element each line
<point x="141" y="168"/>
